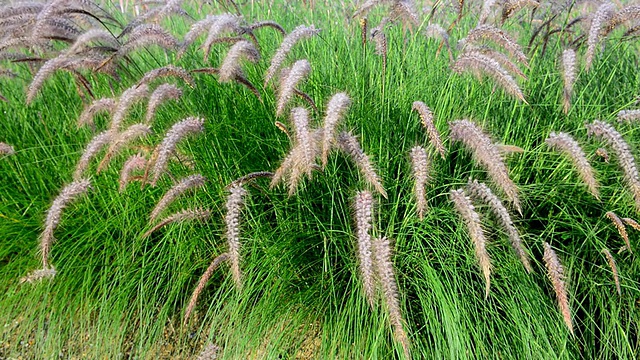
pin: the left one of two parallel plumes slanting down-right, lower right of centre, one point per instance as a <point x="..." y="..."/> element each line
<point x="467" y="212"/>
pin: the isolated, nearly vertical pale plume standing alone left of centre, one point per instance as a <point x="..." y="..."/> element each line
<point x="234" y="205"/>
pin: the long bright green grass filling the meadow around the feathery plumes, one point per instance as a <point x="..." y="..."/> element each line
<point x="118" y="294"/>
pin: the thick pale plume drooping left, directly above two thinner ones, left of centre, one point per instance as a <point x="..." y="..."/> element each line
<point x="166" y="148"/>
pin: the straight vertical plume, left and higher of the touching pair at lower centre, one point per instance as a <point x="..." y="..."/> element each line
<point x="363" y="210"/>
